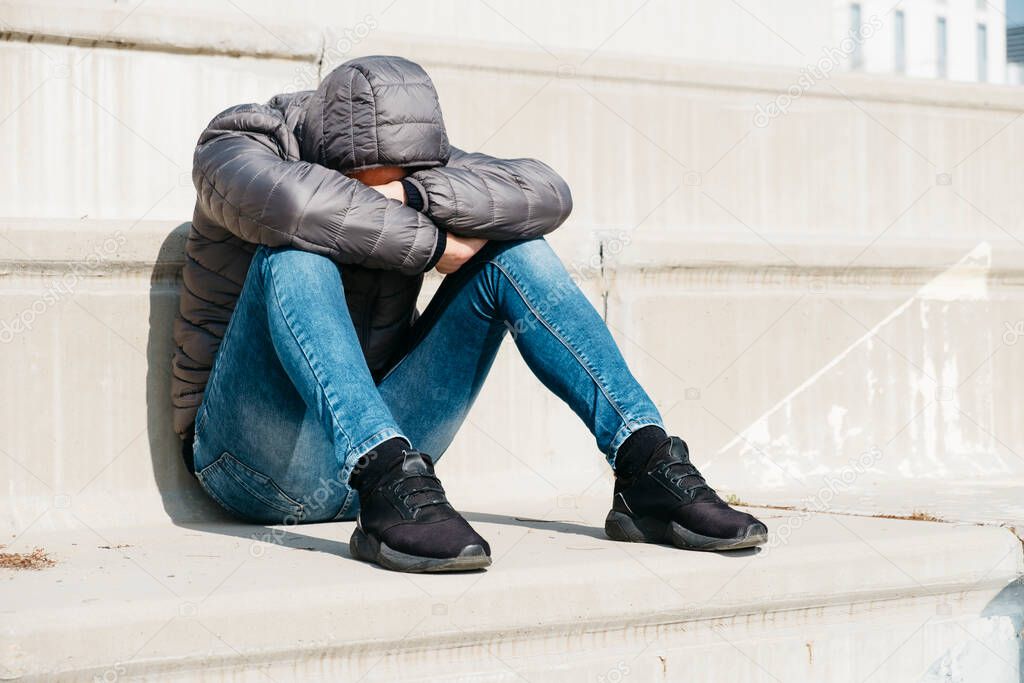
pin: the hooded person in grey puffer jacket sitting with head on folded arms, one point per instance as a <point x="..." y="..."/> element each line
<point x="308" y="389"/>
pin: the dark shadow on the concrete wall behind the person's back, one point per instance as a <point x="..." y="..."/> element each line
<point x="184" y="500"/>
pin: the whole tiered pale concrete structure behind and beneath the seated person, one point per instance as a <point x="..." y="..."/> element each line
<point x="825" y="302"/>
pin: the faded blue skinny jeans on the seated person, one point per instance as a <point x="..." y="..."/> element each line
<point x="291" y="405"/>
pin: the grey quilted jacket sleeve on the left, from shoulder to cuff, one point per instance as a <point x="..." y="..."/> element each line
<point x="250" y="180"/>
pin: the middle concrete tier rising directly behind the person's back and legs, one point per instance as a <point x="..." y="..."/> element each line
<point x="773" y="387"/>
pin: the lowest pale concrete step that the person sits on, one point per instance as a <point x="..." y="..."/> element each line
<point x="836" y="600"/>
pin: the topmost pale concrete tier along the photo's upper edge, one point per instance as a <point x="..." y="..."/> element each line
<point x="259" y="27"/>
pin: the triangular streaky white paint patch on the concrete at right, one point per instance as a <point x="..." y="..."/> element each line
<point x="928" y="377"/>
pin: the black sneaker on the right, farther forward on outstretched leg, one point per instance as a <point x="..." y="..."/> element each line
<point x="670" y="502"/>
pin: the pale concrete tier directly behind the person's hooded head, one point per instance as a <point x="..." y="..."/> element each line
<point x="681" y="148"/>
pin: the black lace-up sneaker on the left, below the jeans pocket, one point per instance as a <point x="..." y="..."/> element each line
<point x="406" y="524"/>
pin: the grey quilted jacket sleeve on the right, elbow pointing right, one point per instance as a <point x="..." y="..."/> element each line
<point x="497" y="199"/>
